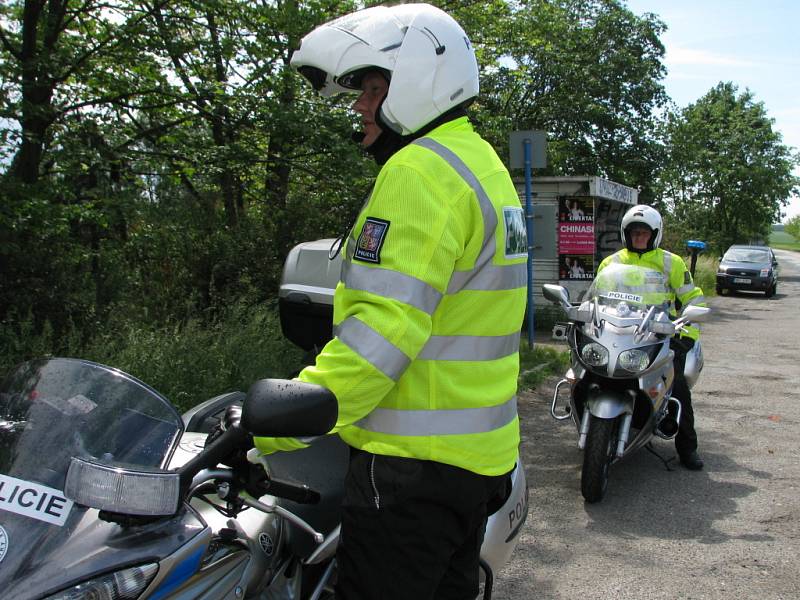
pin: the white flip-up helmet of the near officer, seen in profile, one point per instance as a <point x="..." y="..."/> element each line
<point x="427" y="57"/>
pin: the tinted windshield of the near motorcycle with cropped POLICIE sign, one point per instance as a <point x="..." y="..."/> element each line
<point x="50" y="411"/>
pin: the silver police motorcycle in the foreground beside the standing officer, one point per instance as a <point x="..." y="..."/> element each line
<point x="106" y="492"/>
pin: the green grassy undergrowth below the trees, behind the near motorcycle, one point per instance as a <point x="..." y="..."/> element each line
<point x="186" y="362"/>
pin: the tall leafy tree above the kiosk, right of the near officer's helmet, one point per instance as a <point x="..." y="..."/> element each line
<point x="588" y="72"/>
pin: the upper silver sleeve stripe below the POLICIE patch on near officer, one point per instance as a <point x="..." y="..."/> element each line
<point x="391" y="284"/>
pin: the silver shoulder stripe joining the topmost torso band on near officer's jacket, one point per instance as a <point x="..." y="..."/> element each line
<point x="485" y="275"/>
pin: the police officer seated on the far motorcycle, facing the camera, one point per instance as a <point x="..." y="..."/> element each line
<point x="642" y="229"/>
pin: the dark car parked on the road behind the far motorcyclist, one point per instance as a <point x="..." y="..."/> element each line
<point x="749" y="268"/>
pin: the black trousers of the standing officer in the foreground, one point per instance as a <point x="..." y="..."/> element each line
<point x="412" y="529"/>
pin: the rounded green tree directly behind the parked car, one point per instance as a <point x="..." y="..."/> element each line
<point x="728" y="173"/>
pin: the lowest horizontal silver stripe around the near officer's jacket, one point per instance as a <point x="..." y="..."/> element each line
<point x="440" y="422"/>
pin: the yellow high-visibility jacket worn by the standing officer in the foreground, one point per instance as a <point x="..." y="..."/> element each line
<point x="427" y="315"/>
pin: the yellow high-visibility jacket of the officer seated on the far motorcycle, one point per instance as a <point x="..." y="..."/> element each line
<point x="678" y="277"/>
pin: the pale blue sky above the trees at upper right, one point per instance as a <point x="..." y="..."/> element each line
<point x="753" y="44"/>
